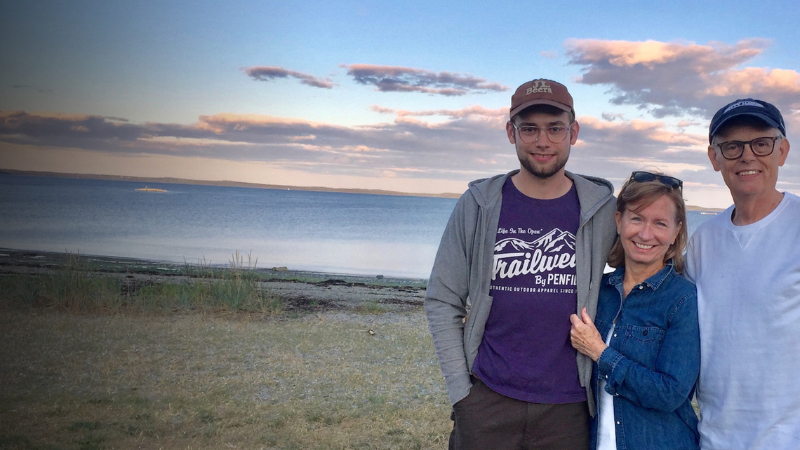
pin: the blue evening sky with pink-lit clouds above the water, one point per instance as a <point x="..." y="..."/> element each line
<point x="402" y="96"/>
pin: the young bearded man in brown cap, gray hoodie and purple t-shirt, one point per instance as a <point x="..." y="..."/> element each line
<point x="521" y="252"/>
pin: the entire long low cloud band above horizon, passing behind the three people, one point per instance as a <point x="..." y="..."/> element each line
<point x="455" y="145"/>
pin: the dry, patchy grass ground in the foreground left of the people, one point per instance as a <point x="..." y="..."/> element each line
<point x="241" y="381"/>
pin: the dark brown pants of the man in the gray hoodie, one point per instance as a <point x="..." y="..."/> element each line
<point x="486" y="420"/>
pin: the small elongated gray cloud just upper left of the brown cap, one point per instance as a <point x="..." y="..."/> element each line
<point x="406" y="79"/>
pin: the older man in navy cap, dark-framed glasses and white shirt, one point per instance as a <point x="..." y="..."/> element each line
<point x="746" y="264"/>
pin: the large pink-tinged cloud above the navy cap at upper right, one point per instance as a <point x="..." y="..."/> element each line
<point x="679" y="78"/>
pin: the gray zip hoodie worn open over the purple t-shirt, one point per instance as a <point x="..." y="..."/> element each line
<point x="457" y="301"/>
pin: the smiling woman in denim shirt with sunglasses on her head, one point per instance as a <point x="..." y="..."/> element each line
<point x="644" y="340"/>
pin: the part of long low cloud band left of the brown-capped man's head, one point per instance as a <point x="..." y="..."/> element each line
<point x="425" y="149"/>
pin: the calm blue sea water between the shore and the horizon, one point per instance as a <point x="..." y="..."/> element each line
<point x="318" y="231"/>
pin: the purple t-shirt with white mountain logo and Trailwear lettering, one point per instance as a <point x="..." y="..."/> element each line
<point x="526" y="352"/>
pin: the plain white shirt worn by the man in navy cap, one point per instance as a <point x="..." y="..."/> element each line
<point x="748" y="298"/>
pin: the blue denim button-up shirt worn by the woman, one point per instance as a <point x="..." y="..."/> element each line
<point x="652" y="362"/>
